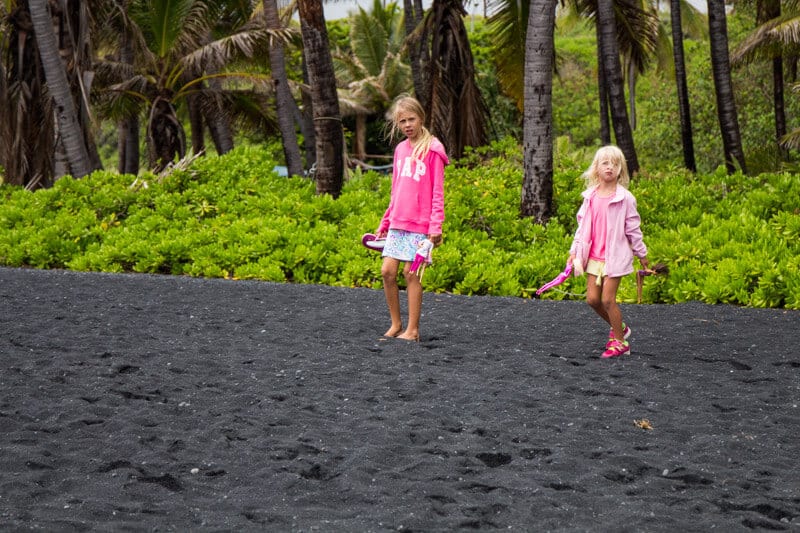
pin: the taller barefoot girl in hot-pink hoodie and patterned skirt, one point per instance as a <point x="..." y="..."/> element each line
<point x="415" y="212"/>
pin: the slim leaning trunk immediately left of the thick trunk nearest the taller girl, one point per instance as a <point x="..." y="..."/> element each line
<point x="283" y="95"/>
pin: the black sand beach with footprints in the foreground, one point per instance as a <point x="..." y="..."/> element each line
<point x="150" y="403"/>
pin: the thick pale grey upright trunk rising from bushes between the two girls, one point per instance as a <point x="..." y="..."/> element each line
<point x="537" y="184"/>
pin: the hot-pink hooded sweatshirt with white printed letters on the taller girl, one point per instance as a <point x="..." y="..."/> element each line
<point x="417" y="201"/>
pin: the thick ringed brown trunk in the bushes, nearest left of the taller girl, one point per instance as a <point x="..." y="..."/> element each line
<point x="327" y="119"/>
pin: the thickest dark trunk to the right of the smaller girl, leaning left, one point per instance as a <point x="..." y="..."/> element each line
<point x="723" y="87"/>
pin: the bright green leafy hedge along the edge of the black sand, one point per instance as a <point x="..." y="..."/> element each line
<point x="727" y="239"/>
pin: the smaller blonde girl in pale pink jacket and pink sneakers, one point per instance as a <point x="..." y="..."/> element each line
<point x="608" y="236"/>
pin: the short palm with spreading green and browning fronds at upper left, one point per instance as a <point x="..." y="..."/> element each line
<point x="174" y="60"/>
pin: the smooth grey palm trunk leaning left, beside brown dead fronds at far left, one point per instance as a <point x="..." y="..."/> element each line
<point x="55" y="73"/>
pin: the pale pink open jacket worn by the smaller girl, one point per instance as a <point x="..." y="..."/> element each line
<point x="623" y="234"/>
